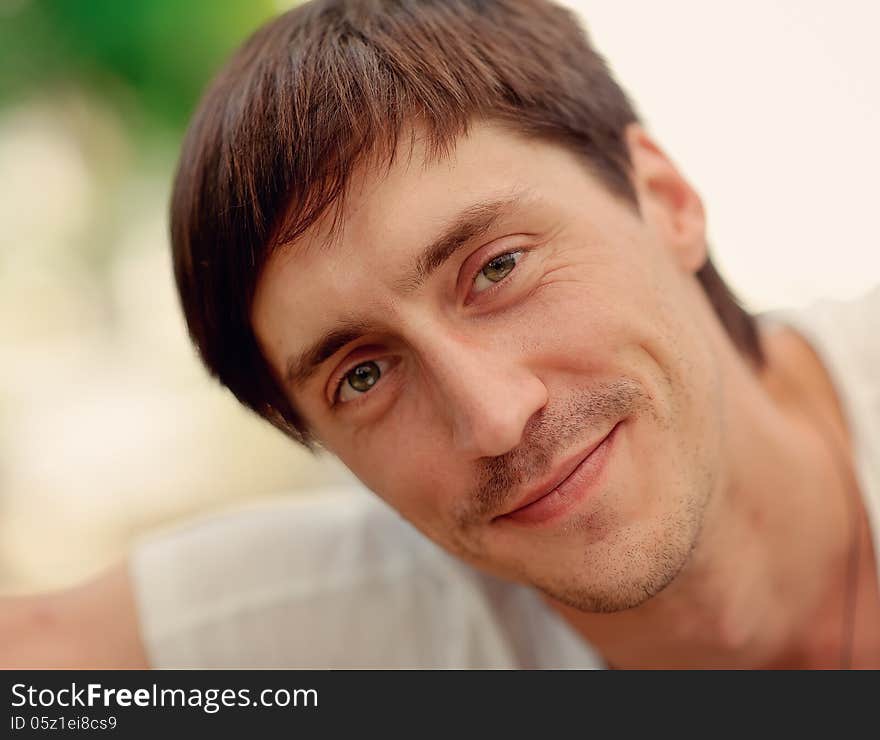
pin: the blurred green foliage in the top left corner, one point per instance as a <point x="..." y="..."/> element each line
<point x="151" y="58"/>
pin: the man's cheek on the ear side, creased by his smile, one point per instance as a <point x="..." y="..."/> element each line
<point x="633" y="316"/>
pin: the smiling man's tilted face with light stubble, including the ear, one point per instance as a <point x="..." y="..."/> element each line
<point x="557" y="316"/>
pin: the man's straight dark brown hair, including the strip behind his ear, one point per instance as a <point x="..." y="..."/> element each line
<point x="319" y="88"/>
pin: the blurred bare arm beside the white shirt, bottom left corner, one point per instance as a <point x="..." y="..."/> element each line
<point x="92" y="625"/>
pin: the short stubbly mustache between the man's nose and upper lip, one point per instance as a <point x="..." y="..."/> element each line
<point x="549" y="435"/>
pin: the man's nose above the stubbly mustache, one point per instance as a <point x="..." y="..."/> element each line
<point x="486" y="391"/>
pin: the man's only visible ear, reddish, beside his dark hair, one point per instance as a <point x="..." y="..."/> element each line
<point x="669" y="204"/>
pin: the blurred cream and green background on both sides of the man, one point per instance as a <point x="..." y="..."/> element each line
<point x="109" y="427"/>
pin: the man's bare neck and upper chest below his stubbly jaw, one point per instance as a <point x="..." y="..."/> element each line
<point x="767" y="582"/>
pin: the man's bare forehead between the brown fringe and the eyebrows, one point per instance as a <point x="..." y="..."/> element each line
<point x="388" y="216"/>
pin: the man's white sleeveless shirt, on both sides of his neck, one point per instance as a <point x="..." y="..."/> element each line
<point x="338" y="580"/>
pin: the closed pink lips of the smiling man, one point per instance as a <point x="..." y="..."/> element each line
<point x="569" y="484"/>
